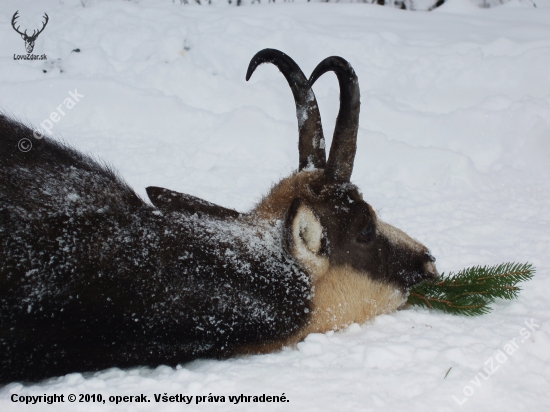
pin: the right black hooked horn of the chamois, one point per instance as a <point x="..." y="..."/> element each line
<point x="344" y="141"/>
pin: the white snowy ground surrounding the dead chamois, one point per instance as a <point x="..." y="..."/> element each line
<point x="454" y="148"/>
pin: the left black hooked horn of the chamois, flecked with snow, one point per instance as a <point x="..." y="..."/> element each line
<point x="311" y="143"/>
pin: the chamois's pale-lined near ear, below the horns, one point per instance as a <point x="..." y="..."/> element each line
<point x="304" y="237"/>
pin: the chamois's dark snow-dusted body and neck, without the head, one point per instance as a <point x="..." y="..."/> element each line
<point x="93" y="277"/>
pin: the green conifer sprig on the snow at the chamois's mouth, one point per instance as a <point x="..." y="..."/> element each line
<point x="470" y="291"/>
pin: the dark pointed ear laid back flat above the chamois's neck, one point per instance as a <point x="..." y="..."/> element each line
<point x="171" y="201"/>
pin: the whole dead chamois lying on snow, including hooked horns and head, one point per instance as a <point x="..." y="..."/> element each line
<point x="92" y="276"/>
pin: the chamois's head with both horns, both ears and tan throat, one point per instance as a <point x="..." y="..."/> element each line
<point x="359" y="266"/>
